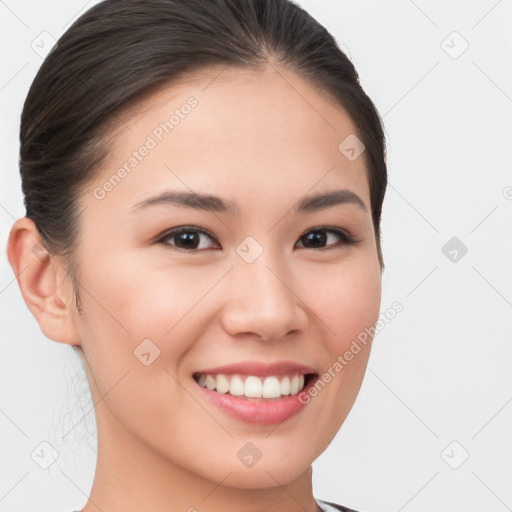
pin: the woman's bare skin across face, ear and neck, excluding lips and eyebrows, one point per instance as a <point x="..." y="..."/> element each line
<point x="264" y="139"/>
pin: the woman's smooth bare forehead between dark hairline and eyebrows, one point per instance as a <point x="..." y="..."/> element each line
<point x="237" y="131"/>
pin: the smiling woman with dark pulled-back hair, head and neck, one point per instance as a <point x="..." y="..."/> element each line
<point x="203" y="185"/>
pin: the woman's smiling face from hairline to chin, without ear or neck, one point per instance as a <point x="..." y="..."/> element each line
<point x="255" y="282"/>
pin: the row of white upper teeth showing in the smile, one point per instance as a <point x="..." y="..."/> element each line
<point x="252" y="386"/>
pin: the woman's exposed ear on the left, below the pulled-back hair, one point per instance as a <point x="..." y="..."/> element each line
<point x="41" y="279"/>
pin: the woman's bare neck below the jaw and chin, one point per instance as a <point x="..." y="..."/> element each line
<point x="131" y="476"/>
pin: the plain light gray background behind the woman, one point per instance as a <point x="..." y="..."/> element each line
<point x="439" y="373"/>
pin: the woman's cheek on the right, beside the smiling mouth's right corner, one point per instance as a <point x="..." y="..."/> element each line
<point x="348" y="304"/>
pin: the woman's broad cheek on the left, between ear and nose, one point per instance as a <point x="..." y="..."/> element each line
<point x="139" y="324"/>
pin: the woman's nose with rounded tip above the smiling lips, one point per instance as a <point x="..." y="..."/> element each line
<point x="263" y="301"/>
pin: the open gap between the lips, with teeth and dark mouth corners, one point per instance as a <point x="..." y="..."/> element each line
<point x="254" y="388"/>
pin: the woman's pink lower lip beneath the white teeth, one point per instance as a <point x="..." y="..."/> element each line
<point x="263" y="413"/>
